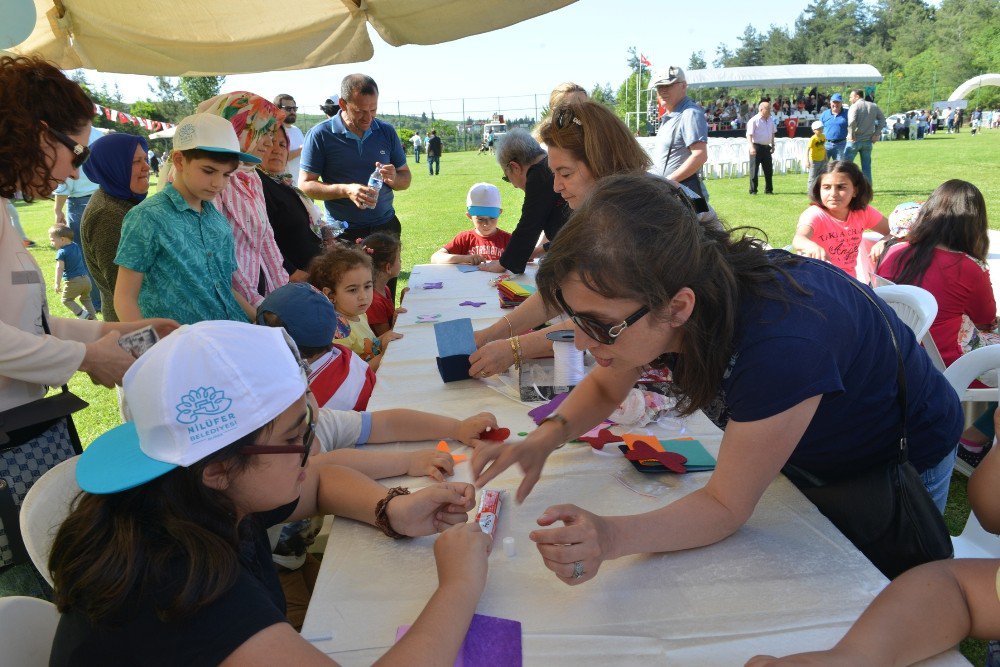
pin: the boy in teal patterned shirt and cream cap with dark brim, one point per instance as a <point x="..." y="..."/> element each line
<point x="176" y="256"/>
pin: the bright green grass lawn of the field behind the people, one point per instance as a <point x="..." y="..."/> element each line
<point x="432" y="211"/>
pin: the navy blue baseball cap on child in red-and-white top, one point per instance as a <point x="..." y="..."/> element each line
<point x="308" y="316"/>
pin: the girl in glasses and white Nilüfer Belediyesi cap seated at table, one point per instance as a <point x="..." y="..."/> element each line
<point x="164" y="558"/>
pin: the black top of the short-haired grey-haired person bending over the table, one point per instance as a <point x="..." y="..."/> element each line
<point x="544" y="210"/>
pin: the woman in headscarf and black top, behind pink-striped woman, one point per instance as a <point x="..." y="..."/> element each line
<point x="294" y="218"/>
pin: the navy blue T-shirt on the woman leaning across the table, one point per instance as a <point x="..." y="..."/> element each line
<point x="834" y="343"/>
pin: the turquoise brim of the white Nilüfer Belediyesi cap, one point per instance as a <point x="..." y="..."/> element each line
<point x="114" y="462"/>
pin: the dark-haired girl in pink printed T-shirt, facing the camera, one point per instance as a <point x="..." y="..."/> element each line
<point x="831" y="228"/>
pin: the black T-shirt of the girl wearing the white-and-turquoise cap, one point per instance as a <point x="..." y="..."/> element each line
<point x="207" y="637"/>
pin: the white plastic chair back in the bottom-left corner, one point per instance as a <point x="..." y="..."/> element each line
<point x="27" y="627"/>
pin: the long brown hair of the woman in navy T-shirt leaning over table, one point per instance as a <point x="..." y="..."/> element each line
<point x="637" y="237"/>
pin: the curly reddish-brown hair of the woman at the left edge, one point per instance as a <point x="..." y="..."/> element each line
<point x="33" y="92"/>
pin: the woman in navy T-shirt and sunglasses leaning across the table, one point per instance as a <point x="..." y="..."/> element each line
<point x="784" y="354"/>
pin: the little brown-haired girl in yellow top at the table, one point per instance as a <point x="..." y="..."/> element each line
<point x="345" y="276"/>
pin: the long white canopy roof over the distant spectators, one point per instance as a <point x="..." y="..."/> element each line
<point x="773" y="76"/>
